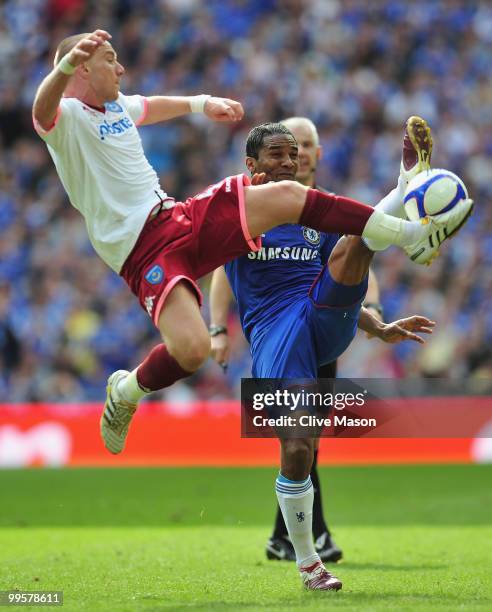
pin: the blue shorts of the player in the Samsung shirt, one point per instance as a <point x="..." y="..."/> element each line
<point x="314" y="330"/>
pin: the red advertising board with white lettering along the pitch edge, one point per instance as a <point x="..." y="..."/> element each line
<point x="197" y="433"/>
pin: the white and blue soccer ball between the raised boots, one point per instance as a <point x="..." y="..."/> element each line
<point x="433" y="192"/>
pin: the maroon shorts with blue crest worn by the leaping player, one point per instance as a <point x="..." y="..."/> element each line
<point x="188" y="241"/>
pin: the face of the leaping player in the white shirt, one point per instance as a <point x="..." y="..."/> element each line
<point x="105" y="73"/>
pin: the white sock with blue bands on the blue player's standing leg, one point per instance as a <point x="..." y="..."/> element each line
<point x="295" y="498"/>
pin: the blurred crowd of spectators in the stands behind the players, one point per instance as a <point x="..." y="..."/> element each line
<point x="358" y="69"/>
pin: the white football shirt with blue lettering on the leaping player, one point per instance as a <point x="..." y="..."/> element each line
<point x="101" y="163"/>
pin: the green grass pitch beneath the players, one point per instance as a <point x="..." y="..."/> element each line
<point x="414" y="538"/>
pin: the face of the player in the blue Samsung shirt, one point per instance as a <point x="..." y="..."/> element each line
<point x="277" y="158"/>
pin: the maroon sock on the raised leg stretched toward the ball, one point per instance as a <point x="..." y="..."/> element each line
<point x="334" y="214"/>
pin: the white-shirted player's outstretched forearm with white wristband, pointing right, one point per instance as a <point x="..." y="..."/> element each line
<point x="163" y="108"/>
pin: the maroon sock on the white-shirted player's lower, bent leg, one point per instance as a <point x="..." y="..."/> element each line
<point x="159" y="370"/>
